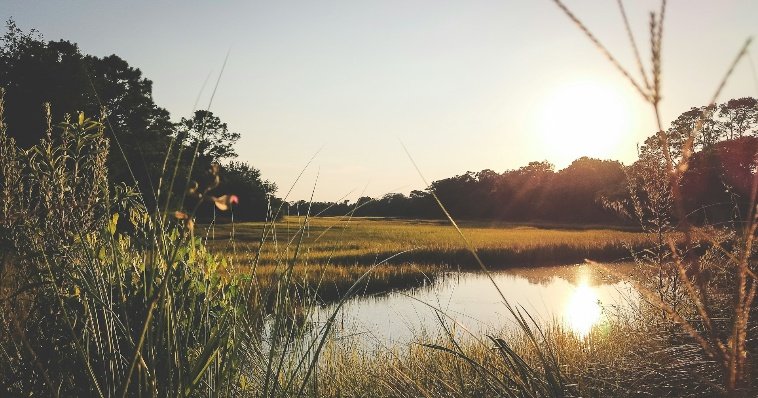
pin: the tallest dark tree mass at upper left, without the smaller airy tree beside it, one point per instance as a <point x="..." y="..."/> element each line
<point x="34" y="72"/>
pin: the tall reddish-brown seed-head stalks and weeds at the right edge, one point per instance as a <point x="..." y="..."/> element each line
<point x="719" y="287"/>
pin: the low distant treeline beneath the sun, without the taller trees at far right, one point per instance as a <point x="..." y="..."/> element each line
<point x="533" y="193"/>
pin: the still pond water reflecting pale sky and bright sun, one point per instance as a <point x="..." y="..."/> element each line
<point x="579" y="297"/>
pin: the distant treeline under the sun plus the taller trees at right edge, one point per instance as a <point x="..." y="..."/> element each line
<point x="716" y="186"/>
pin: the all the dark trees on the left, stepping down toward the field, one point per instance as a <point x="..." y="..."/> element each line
<point x="146" y="145"/>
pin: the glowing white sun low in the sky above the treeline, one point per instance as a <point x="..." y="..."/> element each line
<point x="584" y="118"/>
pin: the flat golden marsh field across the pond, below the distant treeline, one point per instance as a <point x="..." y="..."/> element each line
<point x="330" y="253"/>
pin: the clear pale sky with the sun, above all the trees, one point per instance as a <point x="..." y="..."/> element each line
<point x="466" y="85"/>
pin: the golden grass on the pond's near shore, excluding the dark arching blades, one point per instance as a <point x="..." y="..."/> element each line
<point x="620" y="359"/>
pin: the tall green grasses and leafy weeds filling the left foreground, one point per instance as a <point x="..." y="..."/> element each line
<point x="101" y="297"/>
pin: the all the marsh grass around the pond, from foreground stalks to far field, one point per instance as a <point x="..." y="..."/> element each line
<point x="103" y="297"/>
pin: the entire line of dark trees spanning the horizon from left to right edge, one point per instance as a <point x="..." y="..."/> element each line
<point x="149" y="150"/>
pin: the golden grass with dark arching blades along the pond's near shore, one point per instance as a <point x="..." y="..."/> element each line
<point x="628" y="356"/>
